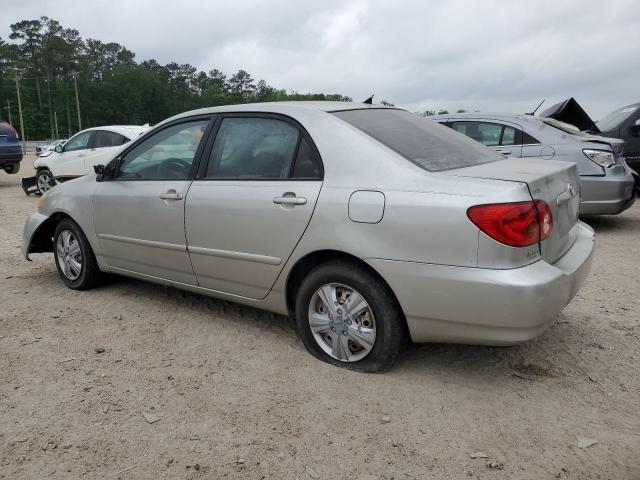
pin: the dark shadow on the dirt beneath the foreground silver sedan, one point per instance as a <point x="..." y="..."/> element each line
<point x="533" y="360"/>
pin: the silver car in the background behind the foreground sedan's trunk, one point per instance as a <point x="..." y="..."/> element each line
<point x="607" y="183"/>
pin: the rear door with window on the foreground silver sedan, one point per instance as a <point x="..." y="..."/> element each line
<point x="251" y="203"/>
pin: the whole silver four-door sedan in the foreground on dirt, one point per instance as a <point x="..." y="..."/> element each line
<point x="367" y="225"/>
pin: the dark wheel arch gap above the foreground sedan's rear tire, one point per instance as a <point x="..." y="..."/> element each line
<point x="311" y="260"/>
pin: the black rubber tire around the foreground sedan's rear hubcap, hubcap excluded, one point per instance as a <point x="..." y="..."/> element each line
<point x="390" y="331"/>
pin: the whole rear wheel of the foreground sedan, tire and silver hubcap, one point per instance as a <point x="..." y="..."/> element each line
<point x="348" y="317"/>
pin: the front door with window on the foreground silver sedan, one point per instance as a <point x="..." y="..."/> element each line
<point x="139" y="214"/>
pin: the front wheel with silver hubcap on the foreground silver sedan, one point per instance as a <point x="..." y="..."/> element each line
<point x="75" y="261"/>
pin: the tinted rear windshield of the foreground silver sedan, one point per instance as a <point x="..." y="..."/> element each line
<point x="426" y="143"/>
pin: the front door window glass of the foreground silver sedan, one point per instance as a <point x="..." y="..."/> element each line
<point x="166" y="155"/>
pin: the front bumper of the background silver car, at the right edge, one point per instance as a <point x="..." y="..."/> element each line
<point x="608" y="195"/>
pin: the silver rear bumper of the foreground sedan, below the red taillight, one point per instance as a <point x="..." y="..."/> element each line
<point x="487" y="306"/>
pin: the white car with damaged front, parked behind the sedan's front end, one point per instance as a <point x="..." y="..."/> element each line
<point x="81" y="152"/>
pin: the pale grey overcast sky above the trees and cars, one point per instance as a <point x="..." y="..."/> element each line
<point x="493" y="56"/>
